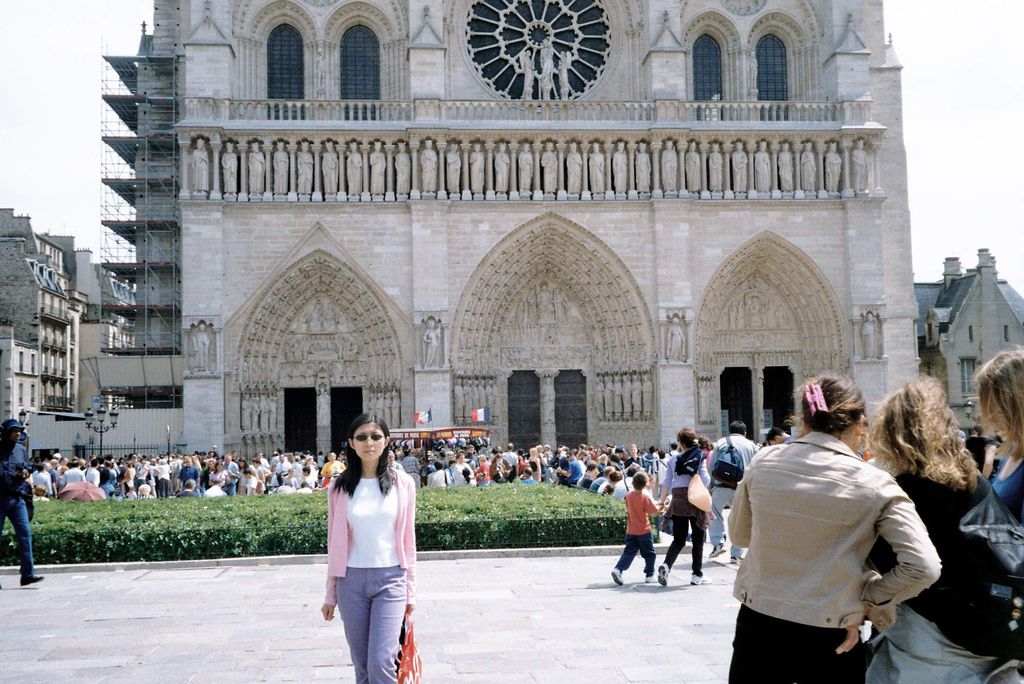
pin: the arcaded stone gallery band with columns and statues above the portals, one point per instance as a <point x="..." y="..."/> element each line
<point x="394" y="166"/>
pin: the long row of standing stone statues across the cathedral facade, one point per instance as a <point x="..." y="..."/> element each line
<point x="379" y="172"/>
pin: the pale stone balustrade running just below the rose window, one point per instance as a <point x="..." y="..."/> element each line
<point x="206" y="111"/>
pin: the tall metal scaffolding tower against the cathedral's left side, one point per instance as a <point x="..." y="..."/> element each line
<point x="142" y="240"/>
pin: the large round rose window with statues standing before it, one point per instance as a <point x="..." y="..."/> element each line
<point x="539" y="50"/>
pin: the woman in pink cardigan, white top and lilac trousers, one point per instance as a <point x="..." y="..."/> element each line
<point x="371" y="548"/>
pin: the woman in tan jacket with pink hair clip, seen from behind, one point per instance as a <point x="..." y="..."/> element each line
<point x="810" y="511"/>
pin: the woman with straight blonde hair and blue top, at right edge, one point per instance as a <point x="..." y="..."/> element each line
<point x="1001" y="396"/>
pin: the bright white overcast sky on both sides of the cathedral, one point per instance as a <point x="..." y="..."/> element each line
<point x="963" y="100"/>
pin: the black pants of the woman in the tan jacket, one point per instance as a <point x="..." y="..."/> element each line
<point x="770" y="651"/>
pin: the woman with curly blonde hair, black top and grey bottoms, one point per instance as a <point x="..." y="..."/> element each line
<point x="915" y="438"/>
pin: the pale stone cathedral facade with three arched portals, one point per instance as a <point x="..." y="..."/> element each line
<point x="600" y="220"/>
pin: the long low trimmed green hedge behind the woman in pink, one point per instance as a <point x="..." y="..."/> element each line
<point x="504" y="517"/>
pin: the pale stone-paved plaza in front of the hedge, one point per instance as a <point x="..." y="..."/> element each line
<point x="554" y="620"/>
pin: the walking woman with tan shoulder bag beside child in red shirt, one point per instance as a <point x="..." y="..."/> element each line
<point x="686" y="516"/>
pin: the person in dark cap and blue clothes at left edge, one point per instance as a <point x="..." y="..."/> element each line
<point x="15" y="490"/>
